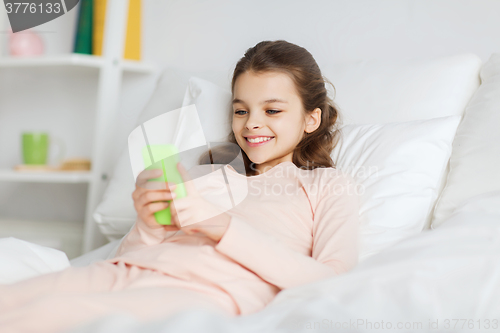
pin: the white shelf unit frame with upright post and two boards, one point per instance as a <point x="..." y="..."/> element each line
<point x="110" y="67"/>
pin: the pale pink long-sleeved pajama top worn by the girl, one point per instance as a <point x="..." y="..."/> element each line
<point x="288" y="227"/>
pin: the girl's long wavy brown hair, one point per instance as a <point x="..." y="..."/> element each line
<point x="314" y="149"/>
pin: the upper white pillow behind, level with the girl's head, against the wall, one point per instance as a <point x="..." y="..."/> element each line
<point x="383" y="91"/>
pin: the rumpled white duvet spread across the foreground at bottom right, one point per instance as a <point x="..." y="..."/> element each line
<point x="446" y="279"/>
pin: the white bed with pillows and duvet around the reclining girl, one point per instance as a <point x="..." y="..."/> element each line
<point x="430" y="208"/>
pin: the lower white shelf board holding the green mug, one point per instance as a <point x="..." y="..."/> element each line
<point x="45" y="177"/>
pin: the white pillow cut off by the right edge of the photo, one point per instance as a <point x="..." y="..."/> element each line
<point x="476" y="150"/>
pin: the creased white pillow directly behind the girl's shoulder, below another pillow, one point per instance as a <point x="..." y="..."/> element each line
<point x="398" y="168"/>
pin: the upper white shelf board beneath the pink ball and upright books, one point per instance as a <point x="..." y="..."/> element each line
<point x="74" y="59"/>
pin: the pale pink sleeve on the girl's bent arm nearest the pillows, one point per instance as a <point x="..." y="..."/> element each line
<point x="334" y="250"/>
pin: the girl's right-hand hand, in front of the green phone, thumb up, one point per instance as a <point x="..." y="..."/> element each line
<point x="194" y="214"/>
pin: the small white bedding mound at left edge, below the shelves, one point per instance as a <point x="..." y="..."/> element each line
<point x="20" y="260"/>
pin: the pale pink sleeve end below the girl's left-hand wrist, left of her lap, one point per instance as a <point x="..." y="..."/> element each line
<point x="141" y="236"/>
